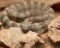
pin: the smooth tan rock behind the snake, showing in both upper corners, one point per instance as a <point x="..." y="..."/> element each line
<point x="4" y="3"/>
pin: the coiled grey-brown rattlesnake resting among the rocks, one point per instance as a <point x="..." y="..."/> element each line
<point x="29" y="15"/>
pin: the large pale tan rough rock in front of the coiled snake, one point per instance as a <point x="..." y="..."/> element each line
<point x="14" y="37"/>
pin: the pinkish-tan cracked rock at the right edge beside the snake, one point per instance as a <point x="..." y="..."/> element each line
<point x="54" y="30"/>
